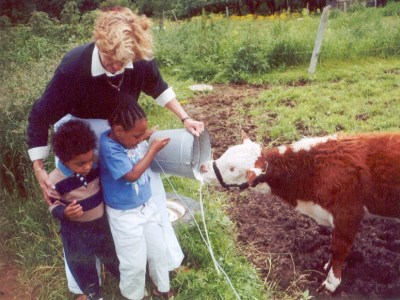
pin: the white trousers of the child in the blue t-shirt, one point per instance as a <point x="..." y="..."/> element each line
<point x="139" y="238"/>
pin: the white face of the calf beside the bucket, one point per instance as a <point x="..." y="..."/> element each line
<point x="233" y="164"/>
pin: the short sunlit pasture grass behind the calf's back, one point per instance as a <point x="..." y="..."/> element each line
<point x="345" y="96"/>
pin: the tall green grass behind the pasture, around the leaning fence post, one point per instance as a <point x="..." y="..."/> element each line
<point x="213" y="48"/>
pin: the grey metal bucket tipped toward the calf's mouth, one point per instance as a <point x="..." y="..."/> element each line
<point x="184" y="153"/>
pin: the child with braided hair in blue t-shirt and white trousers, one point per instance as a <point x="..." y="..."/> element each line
<point x="134" y="218"/>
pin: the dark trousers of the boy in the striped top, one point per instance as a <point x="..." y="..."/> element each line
<point x="83" y="241"/>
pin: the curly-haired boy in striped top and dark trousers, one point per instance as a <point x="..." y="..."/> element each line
<point x="84" y="228"/>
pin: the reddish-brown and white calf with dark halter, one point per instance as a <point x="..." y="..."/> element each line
<point x="336" y="180"/>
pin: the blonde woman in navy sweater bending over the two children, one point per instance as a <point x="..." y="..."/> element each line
<point x="85" y="86"/>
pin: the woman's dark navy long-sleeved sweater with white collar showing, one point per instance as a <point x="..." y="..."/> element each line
<point x="73" y="90"/>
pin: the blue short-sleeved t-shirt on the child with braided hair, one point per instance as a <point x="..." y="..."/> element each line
<point x="115" y="162"/>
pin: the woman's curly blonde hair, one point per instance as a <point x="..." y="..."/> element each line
<point x="123" y="36"/>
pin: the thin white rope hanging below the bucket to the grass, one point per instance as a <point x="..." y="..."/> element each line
<point x="206" y="241"/>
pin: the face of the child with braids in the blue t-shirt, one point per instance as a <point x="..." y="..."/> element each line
<point x="130" y="138"/>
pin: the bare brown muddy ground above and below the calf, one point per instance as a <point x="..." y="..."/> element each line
<point x="285" y="246"/>
